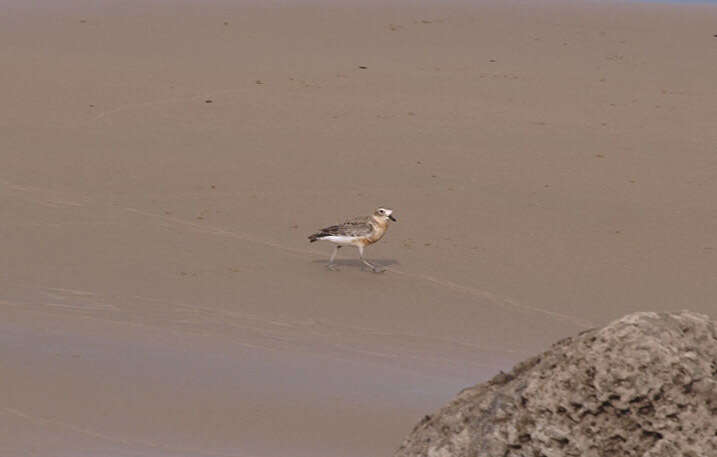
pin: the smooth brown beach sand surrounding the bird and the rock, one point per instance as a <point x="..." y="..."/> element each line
<point x="552" y="167"/>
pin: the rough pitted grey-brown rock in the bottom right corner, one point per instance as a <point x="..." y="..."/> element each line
<point x="645" y="385"/>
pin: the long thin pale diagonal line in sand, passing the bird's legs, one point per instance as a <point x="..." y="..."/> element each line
<point x="493" y="298"/>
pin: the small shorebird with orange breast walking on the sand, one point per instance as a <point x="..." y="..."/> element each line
<point x="359" y="232"/>
